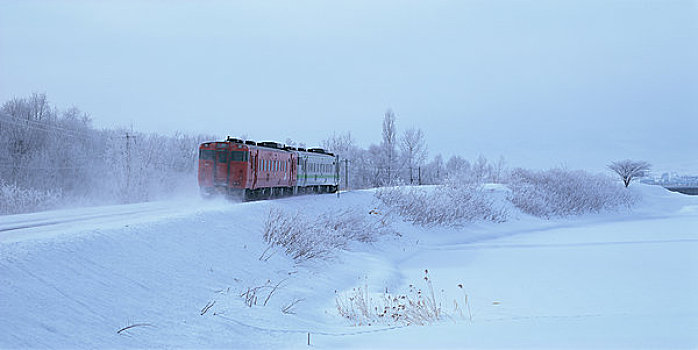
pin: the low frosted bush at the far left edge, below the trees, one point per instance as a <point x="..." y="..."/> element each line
<point x="14" y="199"/>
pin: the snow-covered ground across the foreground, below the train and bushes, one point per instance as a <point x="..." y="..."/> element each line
<point x="613" y="280"/>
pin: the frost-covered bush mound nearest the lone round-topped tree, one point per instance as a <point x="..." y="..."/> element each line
<point x="558" y="192"/>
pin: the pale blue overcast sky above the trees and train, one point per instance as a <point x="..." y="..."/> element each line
<point x="543" y="83"/>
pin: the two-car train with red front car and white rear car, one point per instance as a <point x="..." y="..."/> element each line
<point x="250" y="170"/>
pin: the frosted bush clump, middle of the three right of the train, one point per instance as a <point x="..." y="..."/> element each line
<point x="450" y="205"/>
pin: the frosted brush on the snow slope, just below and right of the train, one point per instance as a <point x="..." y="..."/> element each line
<point x="303" y="237"/>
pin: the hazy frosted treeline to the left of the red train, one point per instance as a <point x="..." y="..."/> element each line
<point x="51" y="157"/>
